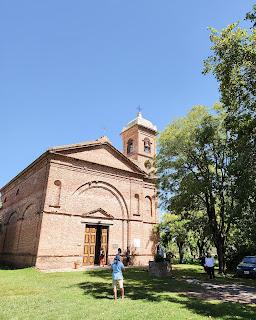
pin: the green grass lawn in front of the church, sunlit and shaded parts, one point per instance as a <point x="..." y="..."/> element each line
<point x="30" y="294"/>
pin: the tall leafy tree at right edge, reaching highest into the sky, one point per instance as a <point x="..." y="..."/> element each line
<point x="233" y="63"/>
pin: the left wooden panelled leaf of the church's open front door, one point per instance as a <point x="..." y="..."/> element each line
<point x="89" y="245"/>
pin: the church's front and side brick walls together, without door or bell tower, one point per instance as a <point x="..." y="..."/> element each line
<point x="46" y="208"/>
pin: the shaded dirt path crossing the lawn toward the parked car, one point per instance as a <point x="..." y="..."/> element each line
<point x="224" y="292"/>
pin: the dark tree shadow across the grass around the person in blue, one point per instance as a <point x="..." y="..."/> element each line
<point x="140" y="286"/>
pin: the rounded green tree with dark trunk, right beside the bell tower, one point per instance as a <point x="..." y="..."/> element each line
<point x="193" y="169"/>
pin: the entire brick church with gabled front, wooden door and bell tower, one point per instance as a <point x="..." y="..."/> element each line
<point x="76" y="199"/>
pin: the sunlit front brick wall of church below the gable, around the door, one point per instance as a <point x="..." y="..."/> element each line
<point x="85" y="188"/>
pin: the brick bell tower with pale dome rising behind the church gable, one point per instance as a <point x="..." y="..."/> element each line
<point x="139" y="142"/>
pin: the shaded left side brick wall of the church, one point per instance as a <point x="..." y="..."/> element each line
<point x="21" y="216"/>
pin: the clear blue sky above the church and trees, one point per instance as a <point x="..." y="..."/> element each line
<point x="72" y="71"/>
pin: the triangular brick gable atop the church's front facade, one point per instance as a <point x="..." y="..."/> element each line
<point x="102" y="154"/>
